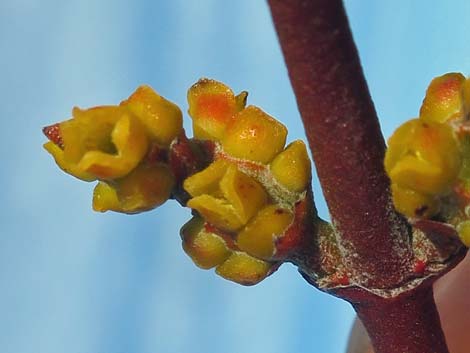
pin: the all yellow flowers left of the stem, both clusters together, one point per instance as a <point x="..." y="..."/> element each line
<point x="244" y="201"/>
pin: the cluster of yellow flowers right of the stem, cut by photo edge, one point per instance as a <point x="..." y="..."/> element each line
<point x="428" y="158"/>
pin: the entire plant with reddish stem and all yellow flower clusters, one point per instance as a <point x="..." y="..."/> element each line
<point x="251" y="196"/>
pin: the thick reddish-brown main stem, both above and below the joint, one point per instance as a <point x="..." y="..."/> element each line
<point x="348" y="148"/>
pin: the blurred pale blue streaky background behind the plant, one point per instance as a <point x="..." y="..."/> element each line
<point x="75" y="281"/>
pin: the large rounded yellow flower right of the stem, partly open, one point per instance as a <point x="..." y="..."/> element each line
<point x="423" y="157"/>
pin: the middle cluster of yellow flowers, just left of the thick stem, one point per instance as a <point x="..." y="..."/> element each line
<point x="245" y="198"/>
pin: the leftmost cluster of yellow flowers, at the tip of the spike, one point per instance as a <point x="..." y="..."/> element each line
<point x="111" y="143"/>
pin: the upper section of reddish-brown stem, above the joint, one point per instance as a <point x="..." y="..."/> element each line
<point x="344" y="136"/>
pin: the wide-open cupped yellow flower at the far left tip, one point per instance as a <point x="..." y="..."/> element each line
<point x="100" y="143"/>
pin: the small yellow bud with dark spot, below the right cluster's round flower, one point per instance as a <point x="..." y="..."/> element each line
<point x="413" y="203"/>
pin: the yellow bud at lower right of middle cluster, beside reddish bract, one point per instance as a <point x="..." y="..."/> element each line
<point x="259" y="236"/>
